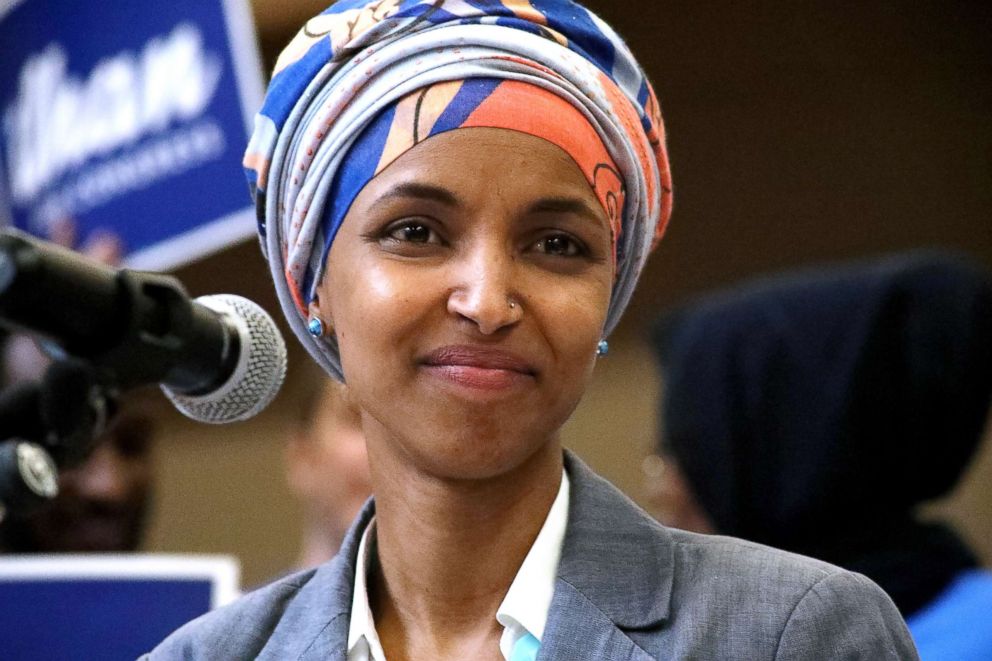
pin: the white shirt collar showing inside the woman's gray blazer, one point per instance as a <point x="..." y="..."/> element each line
<point x="524" y="608"/>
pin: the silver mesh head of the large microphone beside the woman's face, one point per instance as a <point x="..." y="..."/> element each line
<point x="258" y="375"/>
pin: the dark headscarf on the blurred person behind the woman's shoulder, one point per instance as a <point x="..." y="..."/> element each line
<point x="814" y="411"/>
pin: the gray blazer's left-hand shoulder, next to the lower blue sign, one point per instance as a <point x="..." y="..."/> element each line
<point x="238" y="630"/>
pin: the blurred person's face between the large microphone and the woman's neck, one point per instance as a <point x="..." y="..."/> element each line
<point x="327" y="468"/>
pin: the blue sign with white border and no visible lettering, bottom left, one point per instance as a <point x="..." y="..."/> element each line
<point x="104" y="607"/>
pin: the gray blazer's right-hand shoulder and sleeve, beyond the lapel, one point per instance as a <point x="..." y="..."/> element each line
<point x="781" y="605"/>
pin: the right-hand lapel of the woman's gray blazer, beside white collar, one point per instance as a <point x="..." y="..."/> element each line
<point x="615" y="574"/>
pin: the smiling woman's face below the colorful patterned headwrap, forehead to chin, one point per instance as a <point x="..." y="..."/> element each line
<point x="468" y="288"/>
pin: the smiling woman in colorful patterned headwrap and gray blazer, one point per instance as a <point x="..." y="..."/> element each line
<point x="456" y="199"/>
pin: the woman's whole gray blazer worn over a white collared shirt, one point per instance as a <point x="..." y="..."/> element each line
<point x="627" y="588"/>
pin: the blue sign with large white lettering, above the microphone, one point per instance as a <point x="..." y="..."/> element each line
<point x="131" y="117"/>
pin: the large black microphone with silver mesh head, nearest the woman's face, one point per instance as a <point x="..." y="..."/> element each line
<point x="218" y="358"/>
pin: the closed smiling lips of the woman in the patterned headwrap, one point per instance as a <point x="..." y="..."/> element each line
<point x="480" y="368"/>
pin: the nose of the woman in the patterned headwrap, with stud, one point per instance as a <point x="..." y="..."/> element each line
<point x="484" y="291"/>
